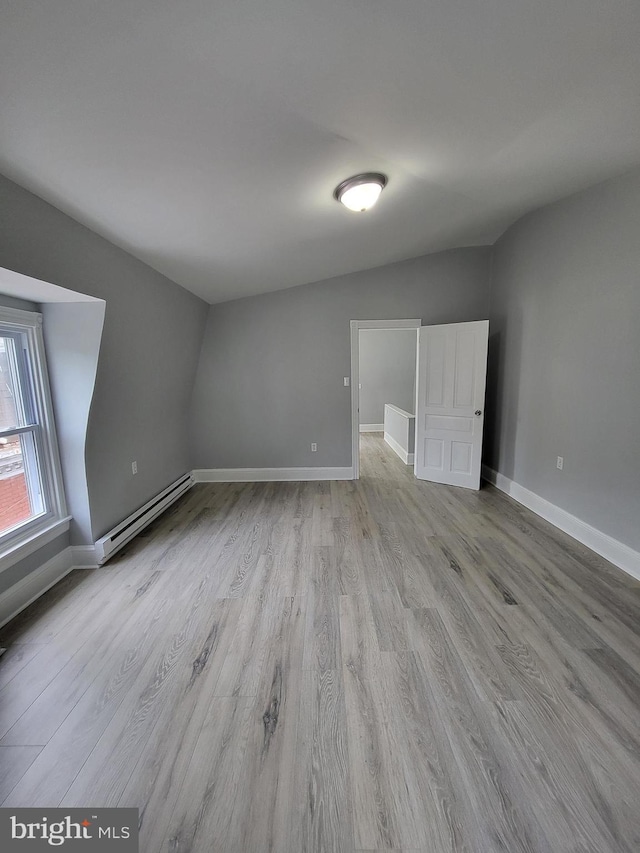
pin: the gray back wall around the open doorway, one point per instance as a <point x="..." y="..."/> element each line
<point x="270" y="378"/>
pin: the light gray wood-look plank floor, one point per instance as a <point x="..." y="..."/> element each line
<point x="347" y="666"/>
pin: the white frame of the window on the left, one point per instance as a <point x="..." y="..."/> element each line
<point x="52" y="520"/>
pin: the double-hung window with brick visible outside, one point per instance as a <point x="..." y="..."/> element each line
<point x="31" y="496"/>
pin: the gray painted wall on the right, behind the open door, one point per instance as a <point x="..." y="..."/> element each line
<point x="565" y="356"/>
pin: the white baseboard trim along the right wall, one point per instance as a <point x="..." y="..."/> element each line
<point x="611" y="549"/>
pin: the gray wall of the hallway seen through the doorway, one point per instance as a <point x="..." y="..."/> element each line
<point x="387" y="372"/>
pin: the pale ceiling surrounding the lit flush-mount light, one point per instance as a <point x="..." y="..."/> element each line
<point x="206" y="136"/>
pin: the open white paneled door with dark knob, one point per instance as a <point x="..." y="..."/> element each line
<point x="450" y="385"/>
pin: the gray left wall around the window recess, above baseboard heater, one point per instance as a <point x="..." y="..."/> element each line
<point x="149" y="352"/>
